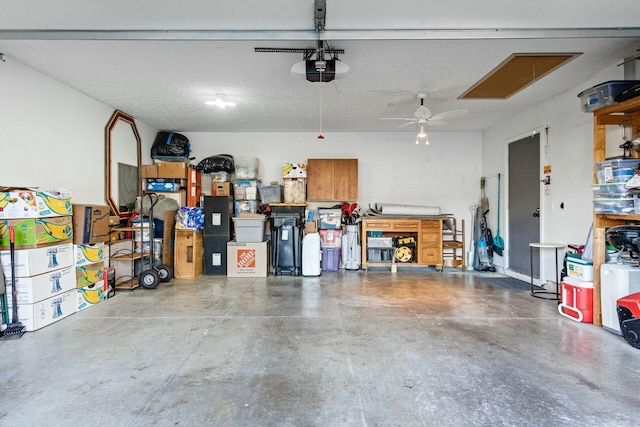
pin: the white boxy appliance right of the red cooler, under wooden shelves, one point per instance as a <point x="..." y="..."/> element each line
<point x="616" y="281"/>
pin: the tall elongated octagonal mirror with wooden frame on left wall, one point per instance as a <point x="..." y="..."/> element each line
<point x="122" y="163"/>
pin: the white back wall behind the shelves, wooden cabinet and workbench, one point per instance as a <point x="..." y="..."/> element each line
<point x="392" y="168"/>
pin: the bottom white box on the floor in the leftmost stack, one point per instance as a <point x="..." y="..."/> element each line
<point x="45" y="312"/>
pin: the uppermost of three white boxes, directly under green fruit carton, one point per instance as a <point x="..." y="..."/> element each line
<point x="32" y="262"/>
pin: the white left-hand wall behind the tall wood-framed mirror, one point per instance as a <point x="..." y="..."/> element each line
<point x="52" y="136"/>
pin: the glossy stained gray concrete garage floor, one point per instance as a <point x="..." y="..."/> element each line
<point x="418" y="348"/>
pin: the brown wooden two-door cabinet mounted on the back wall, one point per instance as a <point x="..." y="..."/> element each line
<point x="332" y="180"/>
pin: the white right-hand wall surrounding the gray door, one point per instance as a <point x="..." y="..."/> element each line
<point x="570" y="155"/>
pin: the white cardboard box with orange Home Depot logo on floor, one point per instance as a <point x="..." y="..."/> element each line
<point x="247" y="259"/>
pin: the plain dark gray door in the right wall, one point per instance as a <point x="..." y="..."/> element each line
<point x="524" y="204"/>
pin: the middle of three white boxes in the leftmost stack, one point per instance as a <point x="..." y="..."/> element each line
<point x="43" y="286"/>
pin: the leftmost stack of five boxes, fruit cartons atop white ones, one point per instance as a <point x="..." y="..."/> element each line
<point x="43" y="259"/>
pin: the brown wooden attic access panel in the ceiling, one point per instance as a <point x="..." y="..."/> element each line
<point x="515" y="73"/>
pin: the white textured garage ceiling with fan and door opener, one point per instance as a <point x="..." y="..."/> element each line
<point x="160" y="61"/>
